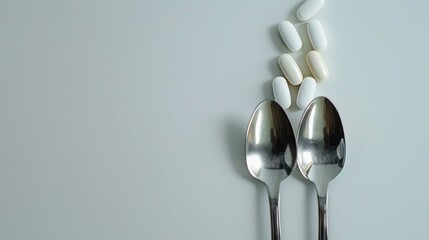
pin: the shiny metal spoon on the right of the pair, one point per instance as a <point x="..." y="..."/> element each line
<point x="321" y="151"/>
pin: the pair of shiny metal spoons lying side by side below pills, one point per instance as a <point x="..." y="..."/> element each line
<point x="319" y="152"/>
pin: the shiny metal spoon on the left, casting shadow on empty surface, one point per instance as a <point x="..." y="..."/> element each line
<point x="271" y="153"/>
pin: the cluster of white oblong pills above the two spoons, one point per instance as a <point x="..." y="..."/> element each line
<point x="315" y="61"/>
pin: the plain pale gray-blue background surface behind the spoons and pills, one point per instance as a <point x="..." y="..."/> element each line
<point x="126" y="119"/>
